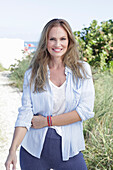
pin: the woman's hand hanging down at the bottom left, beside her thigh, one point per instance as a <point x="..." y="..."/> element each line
<point x="11" y="159"/>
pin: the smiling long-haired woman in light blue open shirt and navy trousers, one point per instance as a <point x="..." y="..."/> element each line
<point x="58" y="95"/>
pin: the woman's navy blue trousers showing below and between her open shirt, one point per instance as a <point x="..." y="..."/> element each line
<point x="51" y="156"/>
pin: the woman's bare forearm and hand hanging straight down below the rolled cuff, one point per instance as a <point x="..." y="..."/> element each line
<point x="19" y="134"/>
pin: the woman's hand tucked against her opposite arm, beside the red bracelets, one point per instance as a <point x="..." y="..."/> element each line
<point x="39" y="122"/>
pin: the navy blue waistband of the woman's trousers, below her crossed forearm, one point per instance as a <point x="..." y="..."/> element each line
<point x="51" y="133"/>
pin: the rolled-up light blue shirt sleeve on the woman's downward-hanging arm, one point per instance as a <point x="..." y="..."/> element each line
<point x="25" y="111"/>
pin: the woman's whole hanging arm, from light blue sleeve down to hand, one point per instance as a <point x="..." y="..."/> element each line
<point x="23" y="122"/>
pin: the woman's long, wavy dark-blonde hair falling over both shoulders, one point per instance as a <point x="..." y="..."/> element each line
<point x="42" y="57"/>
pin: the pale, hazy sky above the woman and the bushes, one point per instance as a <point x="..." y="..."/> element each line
<point x="25" y="19"/>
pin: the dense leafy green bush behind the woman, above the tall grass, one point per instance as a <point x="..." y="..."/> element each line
<point x="96" y="44"/>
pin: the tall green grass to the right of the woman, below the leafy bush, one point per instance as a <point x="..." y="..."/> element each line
<point x="99" y="130"/>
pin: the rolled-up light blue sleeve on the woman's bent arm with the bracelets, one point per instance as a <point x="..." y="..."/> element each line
<point x="86" y="102"/>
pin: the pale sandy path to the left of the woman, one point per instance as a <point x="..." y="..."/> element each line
<point x="10" y="100"/>
